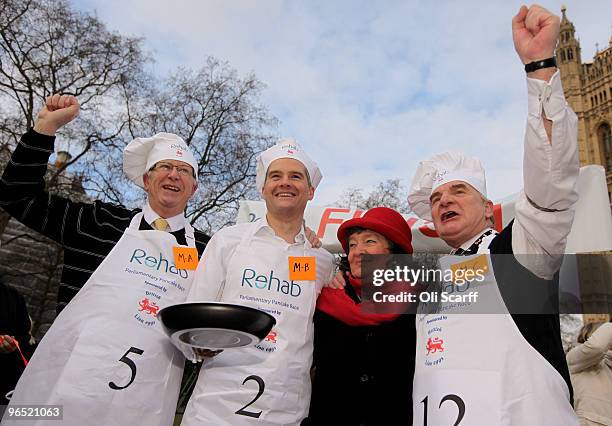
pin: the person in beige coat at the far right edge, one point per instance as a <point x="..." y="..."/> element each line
<point x="590" y="365"/>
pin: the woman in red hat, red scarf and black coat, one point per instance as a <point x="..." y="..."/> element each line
<point x="363" y="362"/>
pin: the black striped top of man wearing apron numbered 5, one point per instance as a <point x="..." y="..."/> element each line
<point x="86" y="231"/>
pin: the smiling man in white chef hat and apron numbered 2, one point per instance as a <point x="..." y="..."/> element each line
<point x="250" y="264"/>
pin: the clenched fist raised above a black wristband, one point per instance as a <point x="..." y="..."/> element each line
<point x="535" y="32"/>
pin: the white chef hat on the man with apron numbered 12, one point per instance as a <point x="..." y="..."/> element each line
<point x="439" y="170"/>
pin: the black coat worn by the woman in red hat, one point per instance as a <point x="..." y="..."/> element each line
<point x="363" y="375"/>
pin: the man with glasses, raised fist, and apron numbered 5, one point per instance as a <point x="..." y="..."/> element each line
<point x="105" y="359"/>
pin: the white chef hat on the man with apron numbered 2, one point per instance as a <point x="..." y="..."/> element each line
<point x="286" y="148"/>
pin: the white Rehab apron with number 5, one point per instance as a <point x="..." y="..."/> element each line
<point x="106" y="358"/>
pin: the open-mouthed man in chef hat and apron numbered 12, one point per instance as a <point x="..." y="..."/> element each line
<point x="501" y="368"/>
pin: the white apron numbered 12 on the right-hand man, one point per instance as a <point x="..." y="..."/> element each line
<point x="477" y="368"/>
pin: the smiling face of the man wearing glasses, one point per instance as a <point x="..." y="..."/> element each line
<point x="169" y="190"/>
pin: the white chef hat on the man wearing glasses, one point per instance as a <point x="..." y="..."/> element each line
<point x="142" y="153"/>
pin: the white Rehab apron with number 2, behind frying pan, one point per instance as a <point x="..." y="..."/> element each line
<point x="268" y="383"/>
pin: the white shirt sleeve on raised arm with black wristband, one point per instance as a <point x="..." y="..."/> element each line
<point x="545" y="207"/>
